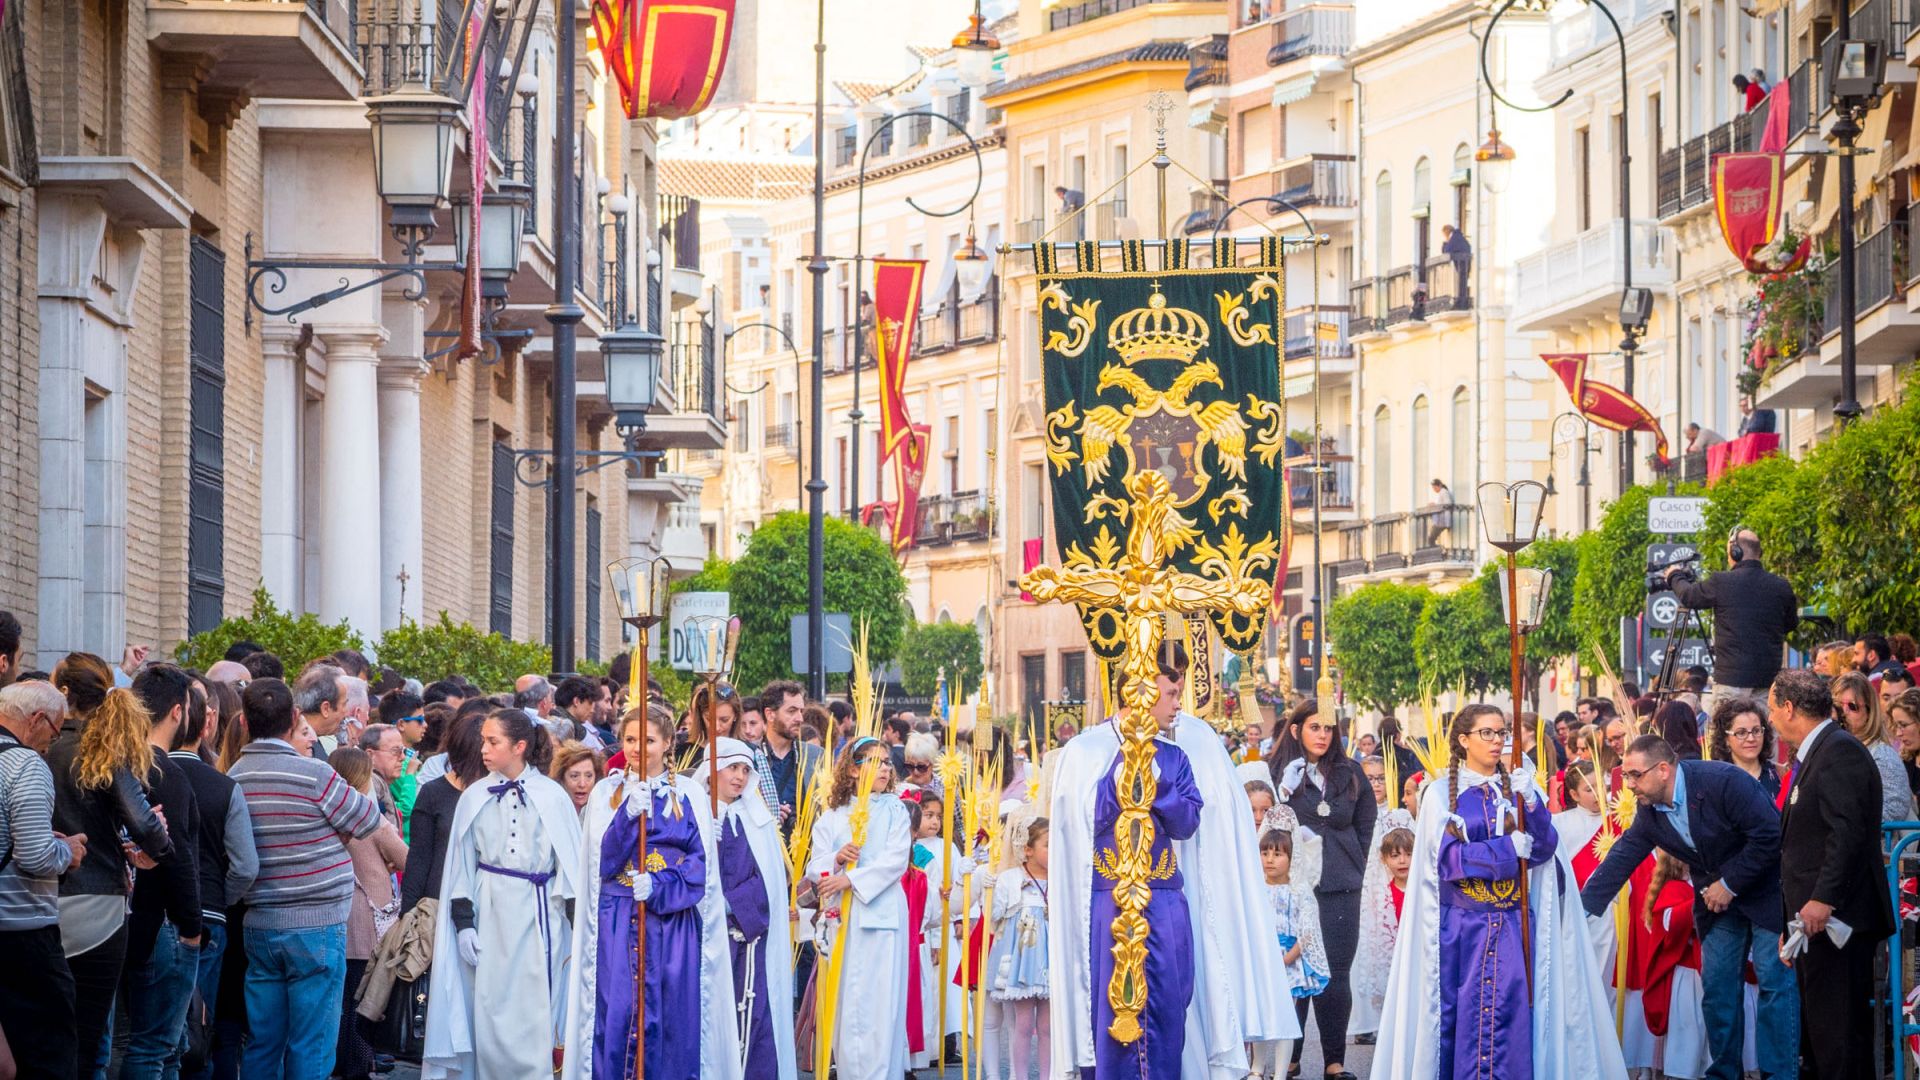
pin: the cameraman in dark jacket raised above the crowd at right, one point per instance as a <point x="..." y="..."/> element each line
<point x="1754" y="612"/>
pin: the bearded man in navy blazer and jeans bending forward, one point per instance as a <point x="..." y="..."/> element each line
<point x="1719" y="822"/>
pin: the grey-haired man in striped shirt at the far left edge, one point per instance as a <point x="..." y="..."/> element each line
<point x="36" y="985"/>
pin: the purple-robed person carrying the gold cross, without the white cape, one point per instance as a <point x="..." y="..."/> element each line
<point x="1170" y="948"/>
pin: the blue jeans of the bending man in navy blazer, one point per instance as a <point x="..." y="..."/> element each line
<point x="1725" y="945"/>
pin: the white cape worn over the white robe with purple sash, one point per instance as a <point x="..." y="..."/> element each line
<point x="448" y="1050"/>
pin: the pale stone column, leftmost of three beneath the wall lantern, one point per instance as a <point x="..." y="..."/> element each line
<point x="279" y="464"/>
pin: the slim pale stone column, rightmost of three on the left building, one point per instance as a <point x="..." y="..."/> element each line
<point x="402" y="508"/>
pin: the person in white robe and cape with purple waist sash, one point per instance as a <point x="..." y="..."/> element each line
<point x="496" y="994"/>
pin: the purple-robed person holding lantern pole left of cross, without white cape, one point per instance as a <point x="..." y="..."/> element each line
<point x="671" y="893"/>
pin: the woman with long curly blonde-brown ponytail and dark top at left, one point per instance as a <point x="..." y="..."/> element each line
<point x="101" y="762"/>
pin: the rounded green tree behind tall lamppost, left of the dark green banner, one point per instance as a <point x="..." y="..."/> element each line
<point x="769" y="585"/>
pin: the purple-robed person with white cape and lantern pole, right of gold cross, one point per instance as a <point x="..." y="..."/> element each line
<point x="1462" y="998"/>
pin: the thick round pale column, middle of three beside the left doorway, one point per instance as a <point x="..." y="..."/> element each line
<point x="350" y="503"/>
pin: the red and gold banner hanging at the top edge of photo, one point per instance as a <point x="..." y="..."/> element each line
<point x="665" y="55"/>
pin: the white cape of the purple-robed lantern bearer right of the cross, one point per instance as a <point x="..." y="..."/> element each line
<point x="1573" y="1027"/>
